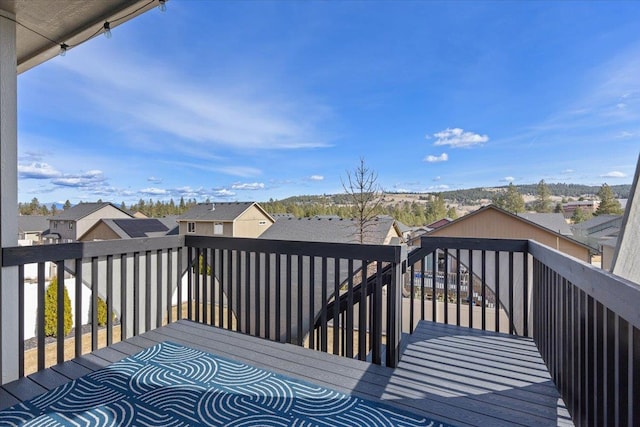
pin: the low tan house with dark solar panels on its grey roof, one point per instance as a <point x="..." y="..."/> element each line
<point x="130" y="228"/>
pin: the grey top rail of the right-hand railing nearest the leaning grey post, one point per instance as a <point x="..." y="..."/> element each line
<point x="615" y="293"/>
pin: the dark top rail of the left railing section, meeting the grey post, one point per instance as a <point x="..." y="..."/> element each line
<point x="79" y="250"/>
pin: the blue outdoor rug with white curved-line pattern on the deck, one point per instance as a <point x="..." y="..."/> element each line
<point x="173" y="385"/>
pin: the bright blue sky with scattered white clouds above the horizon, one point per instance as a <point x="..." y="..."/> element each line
<point x="258" y="100"/>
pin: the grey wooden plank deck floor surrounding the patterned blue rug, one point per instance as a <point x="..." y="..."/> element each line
<point x="453" y="374"/>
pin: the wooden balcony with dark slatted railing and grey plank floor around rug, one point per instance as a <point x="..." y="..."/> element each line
<point x="357" y="319"/>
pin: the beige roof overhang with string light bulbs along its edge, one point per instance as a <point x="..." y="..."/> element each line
<point x="43" y="25"/>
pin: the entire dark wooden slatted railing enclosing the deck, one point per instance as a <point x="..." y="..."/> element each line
<point x="355" y="301"/>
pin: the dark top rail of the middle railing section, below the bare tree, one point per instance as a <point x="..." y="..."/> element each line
<point x="385" y="253"/>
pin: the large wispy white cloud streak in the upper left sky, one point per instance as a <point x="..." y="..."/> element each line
<point x="253" y="116"/>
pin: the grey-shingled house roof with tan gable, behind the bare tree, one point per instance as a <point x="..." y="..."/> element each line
<point x="332" y="229"/>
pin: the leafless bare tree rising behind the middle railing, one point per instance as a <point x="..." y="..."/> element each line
<point x="365" y="195"/>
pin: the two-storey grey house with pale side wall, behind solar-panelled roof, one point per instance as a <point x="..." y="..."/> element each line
<point x="70" y="224"/>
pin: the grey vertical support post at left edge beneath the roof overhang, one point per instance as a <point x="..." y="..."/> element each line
<point x="9" y="307"/>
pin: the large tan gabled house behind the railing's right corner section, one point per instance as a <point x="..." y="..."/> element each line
<point x="494" y="223"/>
